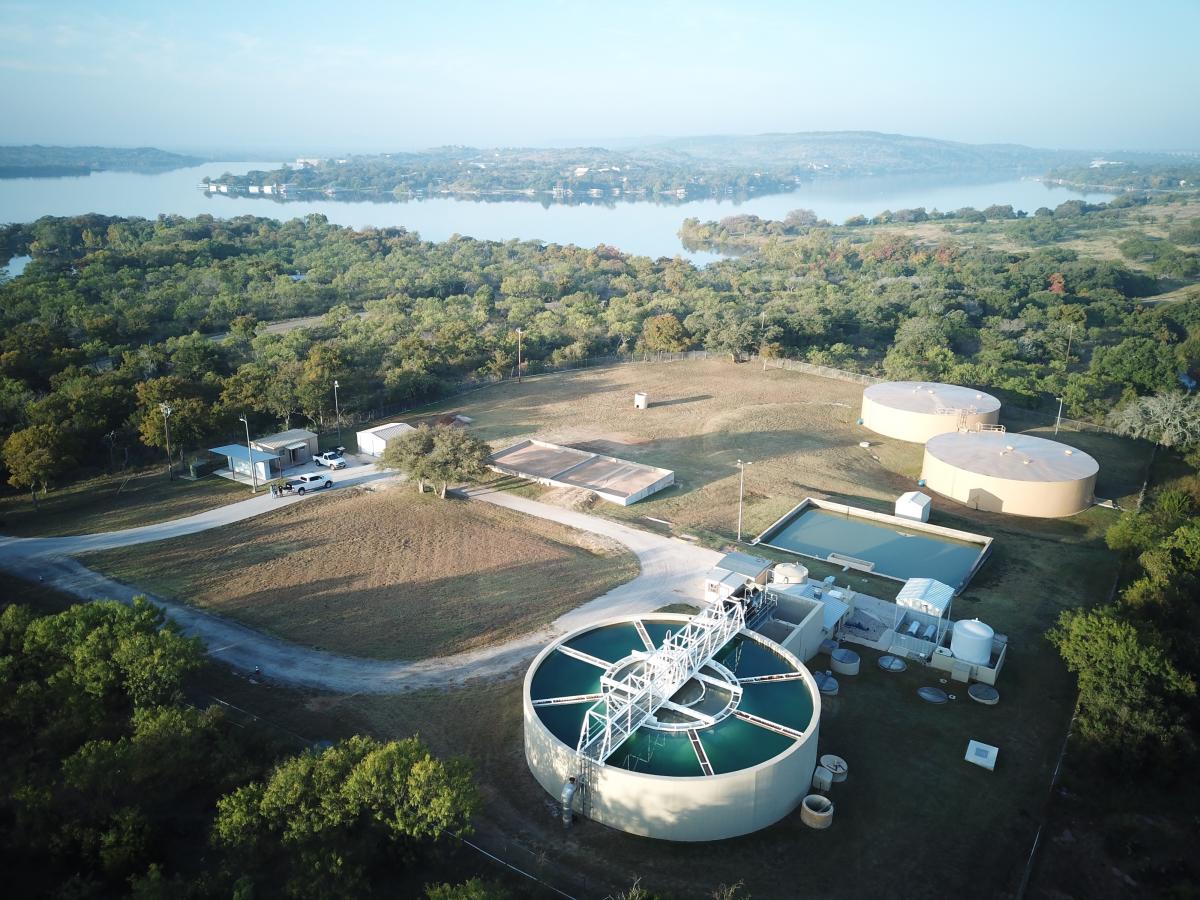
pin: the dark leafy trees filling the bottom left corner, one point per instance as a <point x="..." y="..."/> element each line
<point x="116" y="785"/>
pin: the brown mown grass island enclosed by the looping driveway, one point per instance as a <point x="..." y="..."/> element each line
<point x="385" y="574"/>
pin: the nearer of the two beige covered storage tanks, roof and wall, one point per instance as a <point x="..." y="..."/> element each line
<point x="1011" y="473"/>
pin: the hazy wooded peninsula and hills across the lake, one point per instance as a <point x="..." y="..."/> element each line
<point x="674" y="171"/>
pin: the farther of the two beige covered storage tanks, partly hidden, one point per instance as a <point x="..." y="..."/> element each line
<point x="920" y="411"/>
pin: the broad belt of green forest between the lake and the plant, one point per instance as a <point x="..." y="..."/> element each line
<point x="116" y="316"/>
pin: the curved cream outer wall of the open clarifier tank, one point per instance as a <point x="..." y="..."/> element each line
<point x="693" y="809"/>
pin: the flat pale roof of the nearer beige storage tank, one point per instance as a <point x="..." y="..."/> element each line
<point x="1017" y="458"/>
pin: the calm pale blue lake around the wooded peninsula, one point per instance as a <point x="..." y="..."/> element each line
<point x="645" y="229"/>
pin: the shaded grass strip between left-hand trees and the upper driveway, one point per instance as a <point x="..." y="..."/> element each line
<point x="113" y="502"/>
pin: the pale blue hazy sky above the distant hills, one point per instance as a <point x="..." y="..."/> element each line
<point x="340" y="76"/>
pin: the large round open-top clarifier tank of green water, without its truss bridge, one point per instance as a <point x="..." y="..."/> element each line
<point x="733" y="752"/>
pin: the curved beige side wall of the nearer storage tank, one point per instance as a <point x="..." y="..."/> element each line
<point x="1042" y="500"/>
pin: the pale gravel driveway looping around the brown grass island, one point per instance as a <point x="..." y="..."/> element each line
<point x="673" y="572"/>
